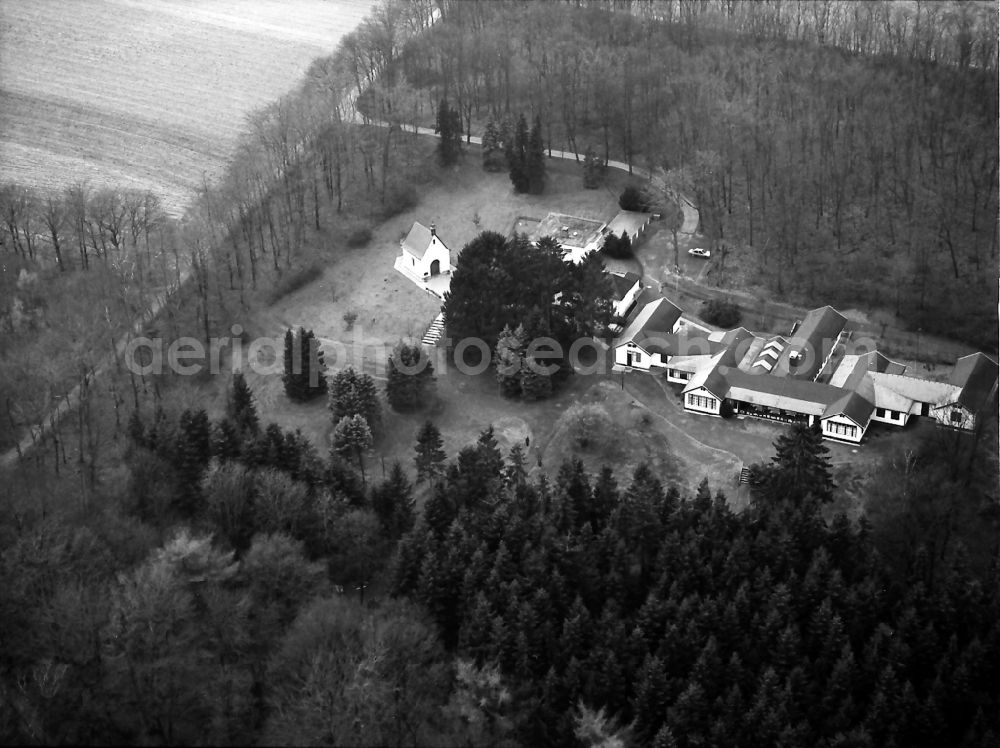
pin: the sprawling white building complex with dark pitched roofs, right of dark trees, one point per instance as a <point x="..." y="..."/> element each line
<point x="818" y="373"/>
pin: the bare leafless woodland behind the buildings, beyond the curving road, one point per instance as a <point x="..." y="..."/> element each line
<point x="840" y="151"/>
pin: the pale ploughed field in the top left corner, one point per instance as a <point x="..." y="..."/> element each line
<point x="149" y="94"/>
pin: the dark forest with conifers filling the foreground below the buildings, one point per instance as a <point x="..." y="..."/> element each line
<point x="221" y="598"/>
